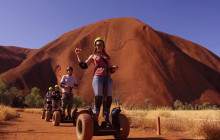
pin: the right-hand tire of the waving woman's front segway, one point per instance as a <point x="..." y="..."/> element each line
<point x="124" y="127"/>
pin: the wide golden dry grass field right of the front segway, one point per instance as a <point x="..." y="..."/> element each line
<point x="176" y="121"/>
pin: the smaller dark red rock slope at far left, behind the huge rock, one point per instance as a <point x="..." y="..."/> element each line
<point x="11" y="57"/>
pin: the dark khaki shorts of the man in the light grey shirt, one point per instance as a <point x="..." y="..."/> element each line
<point x="67" y="99"/>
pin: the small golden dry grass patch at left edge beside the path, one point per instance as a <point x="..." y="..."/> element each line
<point x="7" y="113"/>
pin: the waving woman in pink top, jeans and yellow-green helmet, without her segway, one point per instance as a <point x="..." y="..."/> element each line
<point x="102" y="81"/>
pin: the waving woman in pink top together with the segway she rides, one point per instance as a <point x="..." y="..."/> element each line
<point x="87" y="121"/>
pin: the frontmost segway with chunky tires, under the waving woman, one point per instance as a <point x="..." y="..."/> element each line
<point x="119" y="125"/>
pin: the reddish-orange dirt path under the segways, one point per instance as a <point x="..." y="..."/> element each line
<point x="31" y="127"/>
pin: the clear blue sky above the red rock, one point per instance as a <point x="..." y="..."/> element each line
<point x="34" y="23"/>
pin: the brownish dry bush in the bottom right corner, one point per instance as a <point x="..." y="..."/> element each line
<point x="209" y="130"/>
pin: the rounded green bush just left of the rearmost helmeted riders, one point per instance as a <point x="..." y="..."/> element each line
<point x="34" y="99"/>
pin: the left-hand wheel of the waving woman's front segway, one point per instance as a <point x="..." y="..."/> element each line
<point x="84" y="127"/>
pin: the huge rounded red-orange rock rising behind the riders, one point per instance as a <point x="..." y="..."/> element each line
<point x="152" y="65"/>
